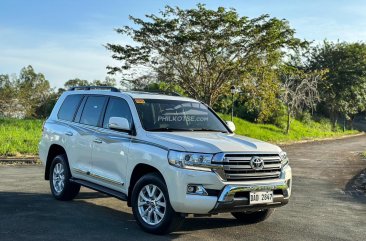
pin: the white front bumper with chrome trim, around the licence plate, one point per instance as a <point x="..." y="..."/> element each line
<point x="230" y="196"/>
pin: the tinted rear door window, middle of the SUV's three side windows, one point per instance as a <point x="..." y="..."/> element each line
<point x="92" y="110"/>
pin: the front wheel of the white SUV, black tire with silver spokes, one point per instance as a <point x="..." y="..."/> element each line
<point x="152" y="203"/>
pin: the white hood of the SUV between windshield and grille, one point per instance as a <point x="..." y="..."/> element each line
<point x="211" y="142"/>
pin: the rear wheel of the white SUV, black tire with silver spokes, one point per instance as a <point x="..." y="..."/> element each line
<point x="62" y="189"/>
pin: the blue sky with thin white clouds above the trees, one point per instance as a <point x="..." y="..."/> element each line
<point x="65" y="39"/>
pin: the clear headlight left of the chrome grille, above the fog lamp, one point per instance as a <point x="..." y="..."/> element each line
<point x="197" y="161"/>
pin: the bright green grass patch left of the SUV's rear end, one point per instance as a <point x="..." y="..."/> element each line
<point x="19" y="137"/>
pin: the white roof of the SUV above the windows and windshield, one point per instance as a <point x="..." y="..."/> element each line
<point x="133" y="94"/>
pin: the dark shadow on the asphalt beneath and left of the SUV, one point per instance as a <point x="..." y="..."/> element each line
<point x="38" y="216"/>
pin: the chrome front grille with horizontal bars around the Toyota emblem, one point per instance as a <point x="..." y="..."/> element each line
<point x="237" y="167"/>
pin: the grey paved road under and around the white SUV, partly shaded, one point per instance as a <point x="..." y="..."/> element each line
<point x="323" y="206"/>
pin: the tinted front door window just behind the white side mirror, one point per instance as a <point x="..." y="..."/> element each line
<point x="117" y="107"/>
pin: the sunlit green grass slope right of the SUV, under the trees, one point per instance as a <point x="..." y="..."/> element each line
<point x="299" y="131"/>
